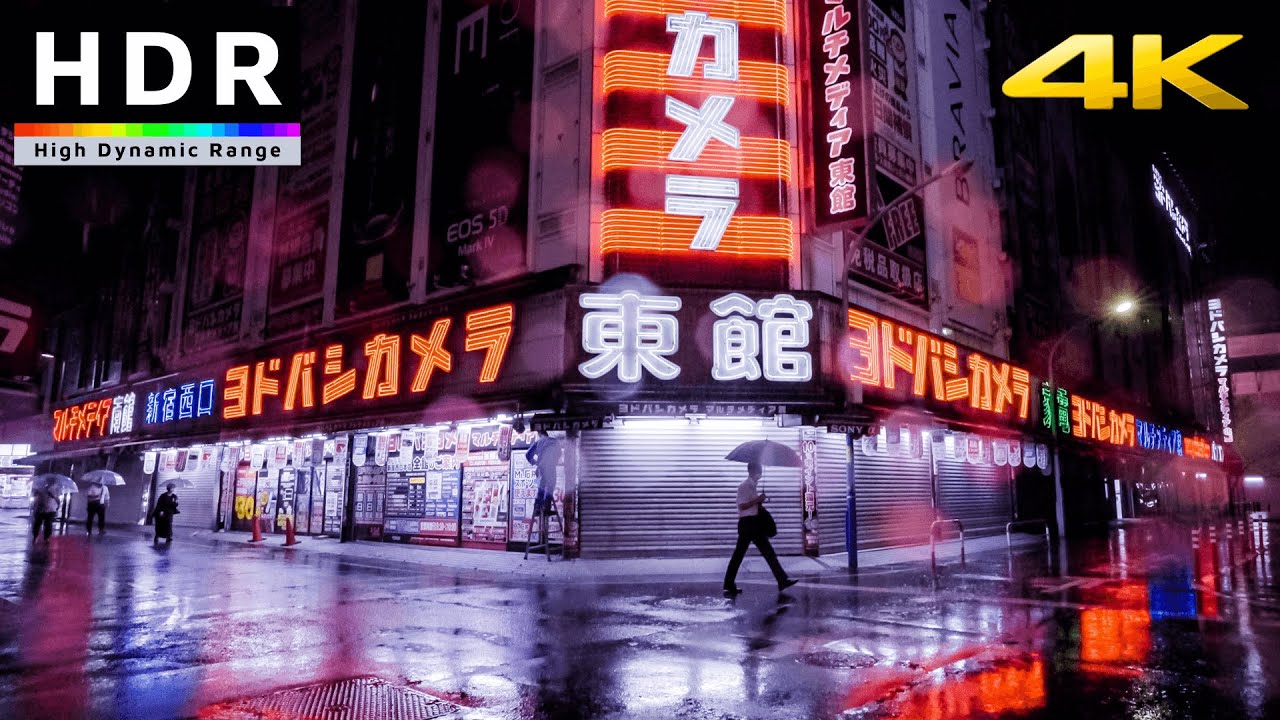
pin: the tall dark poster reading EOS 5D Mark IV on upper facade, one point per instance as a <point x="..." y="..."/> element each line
<point x="481" y="168"/>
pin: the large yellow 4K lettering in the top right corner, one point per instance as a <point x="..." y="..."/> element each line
<point x="1151" y="70"/>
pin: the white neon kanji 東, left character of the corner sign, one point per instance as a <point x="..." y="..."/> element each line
<point x="630" y="332"/>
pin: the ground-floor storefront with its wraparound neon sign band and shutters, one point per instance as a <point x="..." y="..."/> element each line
<point x="414" y="429"/>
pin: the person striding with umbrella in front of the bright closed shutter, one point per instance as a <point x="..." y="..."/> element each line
<point x="755" y="523"/>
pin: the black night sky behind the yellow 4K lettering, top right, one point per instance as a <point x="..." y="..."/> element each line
<point x="1226" y="158"/>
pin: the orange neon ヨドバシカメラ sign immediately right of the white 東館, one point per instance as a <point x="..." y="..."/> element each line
<point x="931" y="367"/>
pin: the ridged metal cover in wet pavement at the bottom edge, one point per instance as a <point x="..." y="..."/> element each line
<point x="360" y="699"/>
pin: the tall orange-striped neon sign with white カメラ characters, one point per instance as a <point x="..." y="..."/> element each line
<point x="696" y="126"/>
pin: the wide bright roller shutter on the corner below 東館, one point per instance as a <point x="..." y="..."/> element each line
<point x="664" y="487"/>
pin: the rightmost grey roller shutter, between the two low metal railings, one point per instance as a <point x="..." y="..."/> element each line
<point x="975" y="494"/>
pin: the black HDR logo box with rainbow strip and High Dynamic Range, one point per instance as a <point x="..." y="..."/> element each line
<point x="162" y="86"/>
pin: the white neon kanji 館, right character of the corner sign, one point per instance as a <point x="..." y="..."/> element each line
<point x="775" y="349"/>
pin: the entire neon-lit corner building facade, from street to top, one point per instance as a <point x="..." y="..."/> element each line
<point x="636" y="240"/>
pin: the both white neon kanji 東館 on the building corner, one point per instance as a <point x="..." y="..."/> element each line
<point x="633" y="335"/>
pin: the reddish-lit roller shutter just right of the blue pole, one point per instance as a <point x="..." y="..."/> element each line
<point x="895" y="498"/>
